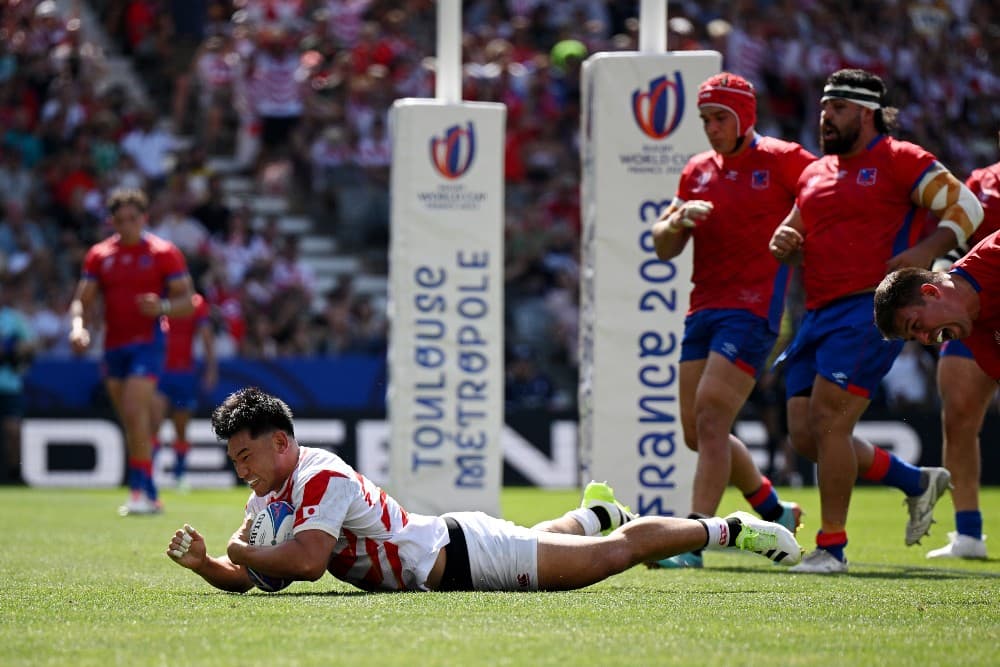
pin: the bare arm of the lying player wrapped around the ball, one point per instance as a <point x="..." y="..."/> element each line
<point x="304" y="557"/>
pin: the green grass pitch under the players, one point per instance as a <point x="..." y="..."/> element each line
<point x="82" y="586"/>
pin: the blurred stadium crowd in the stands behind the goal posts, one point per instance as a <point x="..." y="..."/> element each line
<point x="295" y="93"/>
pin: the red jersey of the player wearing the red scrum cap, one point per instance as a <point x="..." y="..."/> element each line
<point x="751" y="194"/>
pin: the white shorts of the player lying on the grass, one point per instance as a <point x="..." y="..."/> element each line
<point x="502" y="555"/>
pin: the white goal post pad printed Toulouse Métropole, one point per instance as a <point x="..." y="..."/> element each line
<point x="446" y="256"/>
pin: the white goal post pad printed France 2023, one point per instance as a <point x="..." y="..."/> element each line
<point x="640" y="126"/>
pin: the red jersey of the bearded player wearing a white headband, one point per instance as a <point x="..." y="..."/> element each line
<point x="857" y="213"/>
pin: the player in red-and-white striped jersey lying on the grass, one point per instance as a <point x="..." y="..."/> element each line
<point x="346" y="525"/>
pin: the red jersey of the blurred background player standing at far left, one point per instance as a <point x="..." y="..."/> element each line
<point x="122" y="274"/>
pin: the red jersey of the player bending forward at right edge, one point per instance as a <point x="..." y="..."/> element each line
<point x="981" y="267"/>
